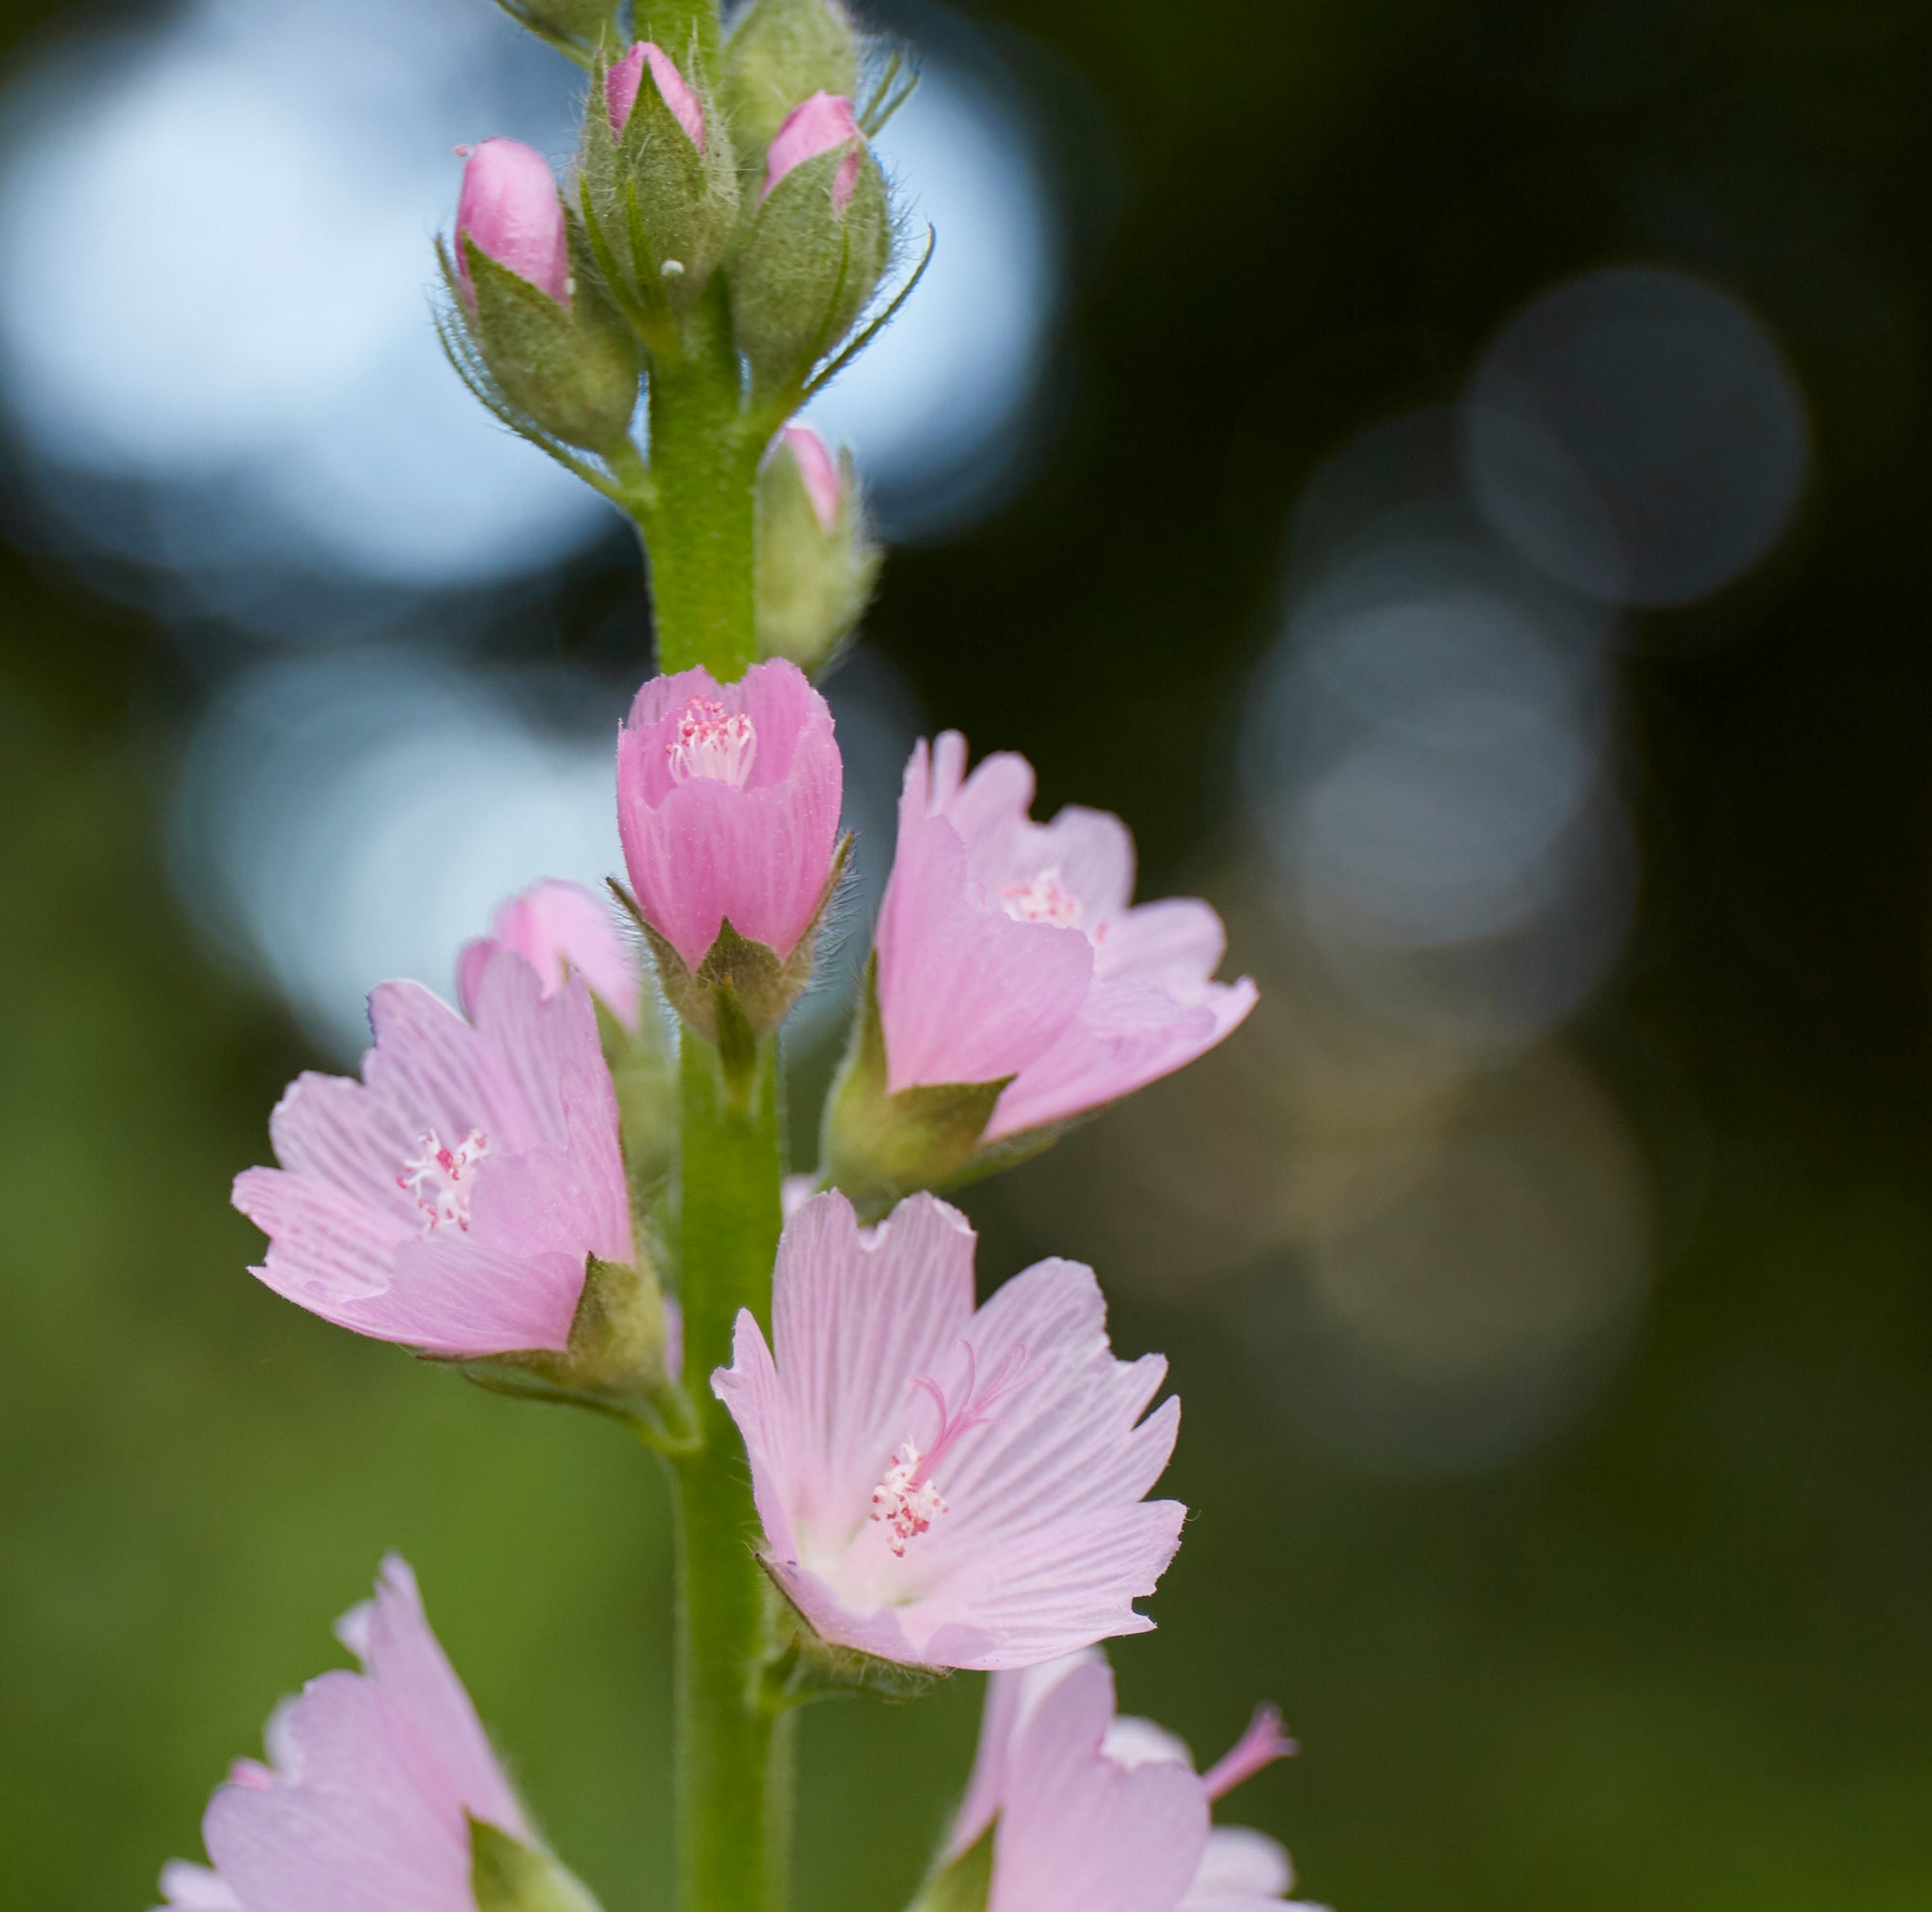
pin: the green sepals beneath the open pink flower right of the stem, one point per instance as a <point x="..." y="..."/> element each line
<point x="880" y="1146"/>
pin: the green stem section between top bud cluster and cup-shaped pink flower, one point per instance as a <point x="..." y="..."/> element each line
<point x="698" y="526"/>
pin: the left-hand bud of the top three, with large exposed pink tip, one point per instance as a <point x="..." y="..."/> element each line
<point x="546" y="335"/>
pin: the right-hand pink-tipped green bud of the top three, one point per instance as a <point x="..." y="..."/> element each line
<point x="818" y="244"/>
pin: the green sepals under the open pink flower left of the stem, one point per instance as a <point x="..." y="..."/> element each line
<point x="613" y="1363"/>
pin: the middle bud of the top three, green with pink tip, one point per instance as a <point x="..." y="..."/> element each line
<point x="660" y="181"/>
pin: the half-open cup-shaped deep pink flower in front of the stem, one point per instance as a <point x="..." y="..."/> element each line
<point x="729" y="806"/>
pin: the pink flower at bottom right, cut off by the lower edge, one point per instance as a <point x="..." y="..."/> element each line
<point x="1102" y="1814"/>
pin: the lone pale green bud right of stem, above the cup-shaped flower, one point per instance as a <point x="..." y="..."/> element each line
<point x="816" y="565"/>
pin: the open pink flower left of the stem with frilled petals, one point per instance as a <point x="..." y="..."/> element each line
<point x="449" y="1200"/>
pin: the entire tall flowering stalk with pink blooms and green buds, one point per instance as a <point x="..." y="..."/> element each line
<point x="569" y="1183"/>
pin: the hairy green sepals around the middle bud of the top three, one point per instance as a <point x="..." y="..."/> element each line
<point x="658" y="210"/>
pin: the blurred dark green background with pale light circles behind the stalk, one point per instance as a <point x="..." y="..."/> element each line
<point x="1448" y="474"/>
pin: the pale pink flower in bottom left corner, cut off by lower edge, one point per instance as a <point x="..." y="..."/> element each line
<point x="372" y="1780"/>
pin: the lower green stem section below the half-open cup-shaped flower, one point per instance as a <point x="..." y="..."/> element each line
<point x="733" y="1772"/>
